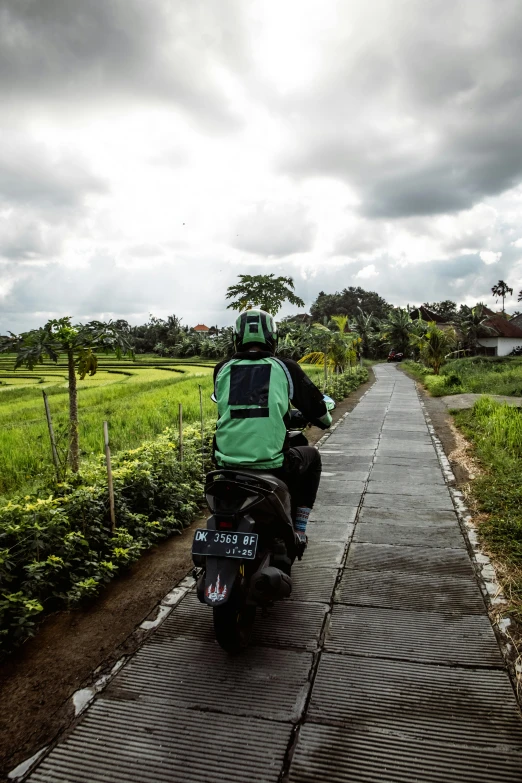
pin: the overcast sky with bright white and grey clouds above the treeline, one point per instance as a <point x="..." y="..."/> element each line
<point x="152" y="150"/>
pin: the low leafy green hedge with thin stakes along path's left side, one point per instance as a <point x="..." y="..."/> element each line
<point x="57" y="551"/>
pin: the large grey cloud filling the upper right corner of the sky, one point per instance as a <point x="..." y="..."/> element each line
<point x="424" y="119"/>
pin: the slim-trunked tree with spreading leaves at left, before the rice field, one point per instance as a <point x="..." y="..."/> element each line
<point x="80" y="343"/>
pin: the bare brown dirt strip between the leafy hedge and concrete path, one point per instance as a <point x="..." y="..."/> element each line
<point x="38" y="681"/>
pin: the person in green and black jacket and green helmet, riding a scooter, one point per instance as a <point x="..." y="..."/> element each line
<point x="254" y="390"/>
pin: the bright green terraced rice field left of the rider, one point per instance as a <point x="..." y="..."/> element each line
<point x="138" y="398"/>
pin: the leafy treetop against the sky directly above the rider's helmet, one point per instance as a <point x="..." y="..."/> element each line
<point x="265" y="291"/>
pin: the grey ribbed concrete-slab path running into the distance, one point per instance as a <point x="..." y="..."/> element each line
<point x="383" y="666"/>
